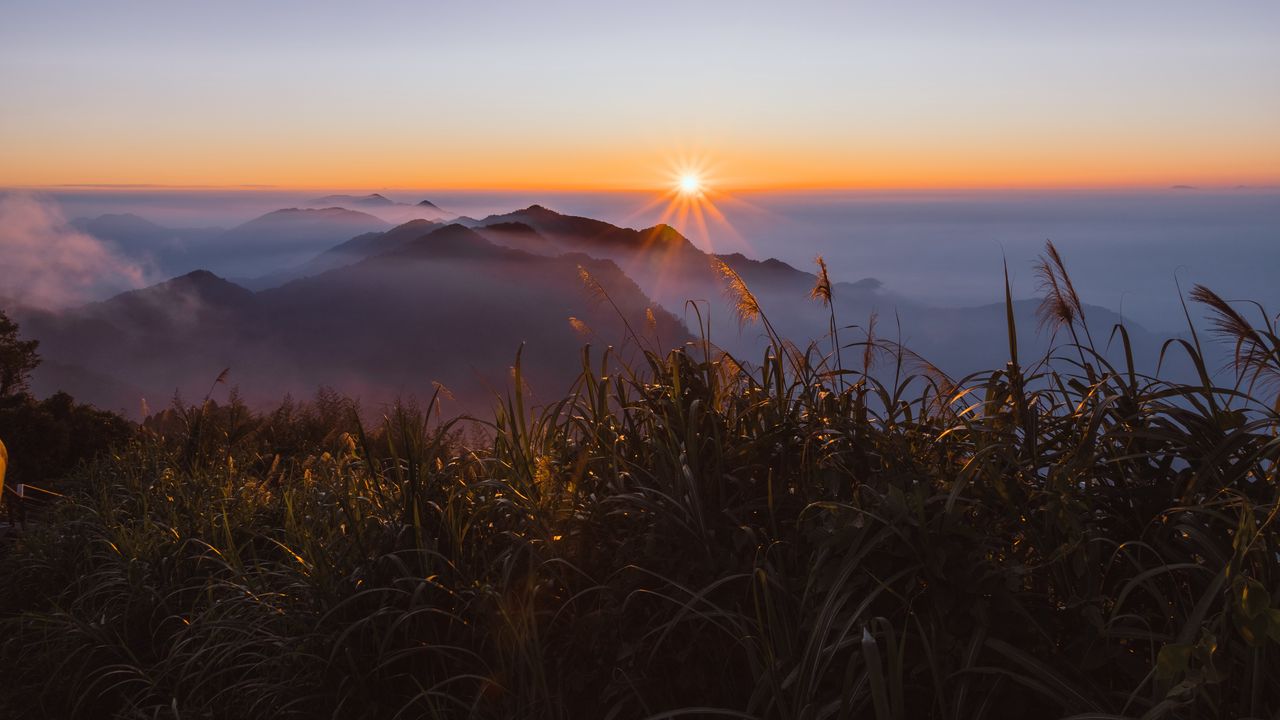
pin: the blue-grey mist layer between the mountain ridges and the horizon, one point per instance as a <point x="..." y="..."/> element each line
<point x="1124" y="248"/>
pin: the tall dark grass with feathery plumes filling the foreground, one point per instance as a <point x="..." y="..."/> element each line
<point x="697" y="539"/>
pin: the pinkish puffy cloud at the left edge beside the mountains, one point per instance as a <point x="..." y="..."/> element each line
<point x="47" y="263"/>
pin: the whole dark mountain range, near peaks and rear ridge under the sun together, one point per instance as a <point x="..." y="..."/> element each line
<point x="387" y="313"/>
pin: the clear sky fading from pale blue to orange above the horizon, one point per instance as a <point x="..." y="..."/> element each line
<point x="597" y="95"/>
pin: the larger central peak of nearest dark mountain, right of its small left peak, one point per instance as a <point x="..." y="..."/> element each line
<point x="454" y="308"/>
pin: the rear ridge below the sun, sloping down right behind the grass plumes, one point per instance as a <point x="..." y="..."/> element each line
<point x="674" y="272"/>
